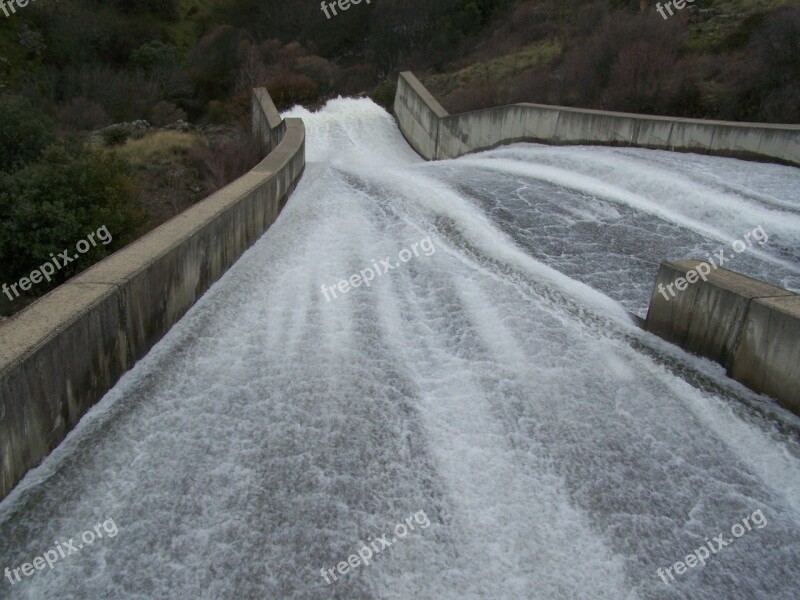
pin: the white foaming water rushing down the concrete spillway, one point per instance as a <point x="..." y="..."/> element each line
<point x="493" y="387"/>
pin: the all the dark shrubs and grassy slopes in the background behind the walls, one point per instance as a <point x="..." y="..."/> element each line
<point x="168" y="61"/>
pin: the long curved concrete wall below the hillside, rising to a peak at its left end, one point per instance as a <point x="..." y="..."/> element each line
<point x="435" y="134"/>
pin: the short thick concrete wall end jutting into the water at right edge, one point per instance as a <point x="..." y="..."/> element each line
<point x="750" y="327"/>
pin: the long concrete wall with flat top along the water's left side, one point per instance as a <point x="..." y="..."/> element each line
<point x="59" y="356"/>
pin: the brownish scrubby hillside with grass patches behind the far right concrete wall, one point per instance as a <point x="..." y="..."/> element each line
<point x="733" y="60"/>
